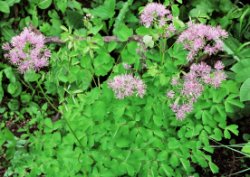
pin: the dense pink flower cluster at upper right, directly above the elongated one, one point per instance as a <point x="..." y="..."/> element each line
<point x="202" y="38"/>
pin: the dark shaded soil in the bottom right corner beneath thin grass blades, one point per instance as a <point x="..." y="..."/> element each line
<point x="228" y="161"/>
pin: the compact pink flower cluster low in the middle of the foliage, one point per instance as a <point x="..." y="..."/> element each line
<point x="127" y="85"/>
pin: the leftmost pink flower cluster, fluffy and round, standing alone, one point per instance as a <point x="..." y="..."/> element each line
<point x="27" y="51"/>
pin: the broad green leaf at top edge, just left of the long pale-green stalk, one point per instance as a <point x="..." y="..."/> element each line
<point x="105" y="11"/>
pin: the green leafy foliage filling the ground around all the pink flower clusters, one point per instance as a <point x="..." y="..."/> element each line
<point x="65" y="120"/>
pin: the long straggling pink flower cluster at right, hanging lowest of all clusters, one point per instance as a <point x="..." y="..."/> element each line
<point x="192" y="86"/>
